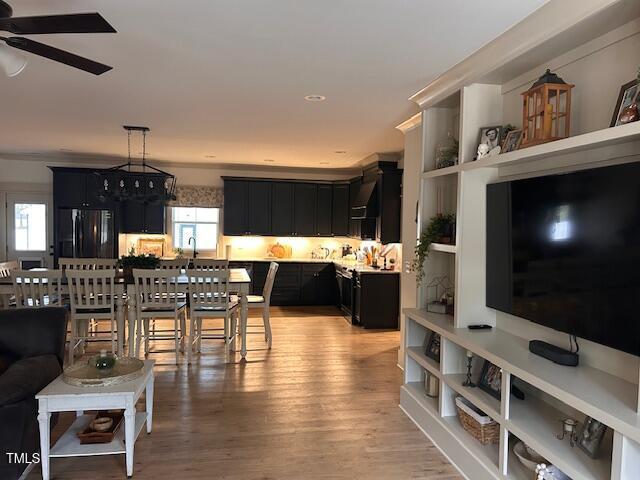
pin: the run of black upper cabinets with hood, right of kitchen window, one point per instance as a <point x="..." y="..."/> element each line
<point x="255" y="206"/>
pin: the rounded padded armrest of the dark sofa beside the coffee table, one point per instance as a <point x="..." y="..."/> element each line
<point x="26" y="377"/>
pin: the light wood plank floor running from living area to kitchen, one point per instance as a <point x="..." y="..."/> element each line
<point x="322" y="404"/>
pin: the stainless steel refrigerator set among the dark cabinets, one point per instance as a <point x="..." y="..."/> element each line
<point x="85" y="233"/>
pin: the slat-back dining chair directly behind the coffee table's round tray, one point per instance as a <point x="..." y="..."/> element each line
<point x="92" y="298"/>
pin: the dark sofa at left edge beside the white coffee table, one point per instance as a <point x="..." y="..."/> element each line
<point x="31" y="354"/>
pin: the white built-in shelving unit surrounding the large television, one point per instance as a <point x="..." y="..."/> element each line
<point x="593" y="44"/>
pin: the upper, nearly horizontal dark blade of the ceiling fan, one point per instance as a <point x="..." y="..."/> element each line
<point x="73" y="23"/>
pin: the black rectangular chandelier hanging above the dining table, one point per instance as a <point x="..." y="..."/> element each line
<point x="137" y="181"/>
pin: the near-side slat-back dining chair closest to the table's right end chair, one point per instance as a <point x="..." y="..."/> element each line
<point x="209" y="297"/>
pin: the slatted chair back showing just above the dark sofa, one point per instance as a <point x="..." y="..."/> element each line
<point x="37" y="288"/>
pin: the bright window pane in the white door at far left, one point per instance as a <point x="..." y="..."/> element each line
<point x="30" y="227"/>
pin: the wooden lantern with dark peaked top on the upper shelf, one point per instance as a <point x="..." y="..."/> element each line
<point x="546" y="114"/>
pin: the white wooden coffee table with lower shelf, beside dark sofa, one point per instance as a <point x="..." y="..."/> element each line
<point x="59" y="396"/>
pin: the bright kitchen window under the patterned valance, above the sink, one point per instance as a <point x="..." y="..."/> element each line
<point x="200" y="223"/>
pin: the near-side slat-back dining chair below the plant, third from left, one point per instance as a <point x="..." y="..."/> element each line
<point x="156" y="293"/>
